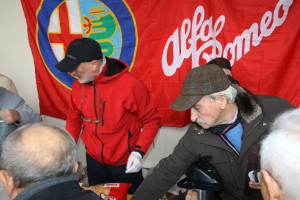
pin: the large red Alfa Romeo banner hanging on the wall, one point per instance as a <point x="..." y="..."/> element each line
<point x="162" y="40"/>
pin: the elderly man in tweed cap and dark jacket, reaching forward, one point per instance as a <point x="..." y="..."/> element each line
<point x="226" y="124"/>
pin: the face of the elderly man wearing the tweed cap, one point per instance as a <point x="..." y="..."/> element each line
<point x="207" y="112"/>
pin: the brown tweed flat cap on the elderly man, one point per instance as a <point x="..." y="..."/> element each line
<point x="200" y="81"/>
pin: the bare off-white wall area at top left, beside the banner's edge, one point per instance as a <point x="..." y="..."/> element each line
<point x="16" y="59"/>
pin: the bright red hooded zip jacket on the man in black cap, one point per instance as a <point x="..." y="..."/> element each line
<point x="123" y="109"/>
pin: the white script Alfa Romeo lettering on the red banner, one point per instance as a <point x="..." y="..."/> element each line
<point x="181" y="47"/>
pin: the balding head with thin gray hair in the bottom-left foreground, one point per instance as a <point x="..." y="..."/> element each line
<point x="29" y="165"/>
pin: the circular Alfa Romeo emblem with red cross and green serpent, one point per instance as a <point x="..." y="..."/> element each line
<point x="111" y="23"/>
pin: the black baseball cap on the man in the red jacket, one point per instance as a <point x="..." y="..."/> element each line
<point x="79" y="50"/>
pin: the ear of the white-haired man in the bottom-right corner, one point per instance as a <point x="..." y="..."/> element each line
<point x="272" y="188"/>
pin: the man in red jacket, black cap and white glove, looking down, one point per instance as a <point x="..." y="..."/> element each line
<point x="112" y="111"/>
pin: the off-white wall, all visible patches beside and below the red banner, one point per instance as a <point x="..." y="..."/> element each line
<point x="16" y="62"/>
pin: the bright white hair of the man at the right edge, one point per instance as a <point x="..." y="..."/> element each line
<point x="280" y="154"/>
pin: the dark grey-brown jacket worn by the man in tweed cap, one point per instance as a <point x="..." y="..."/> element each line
<point x="197" y="141"/>
